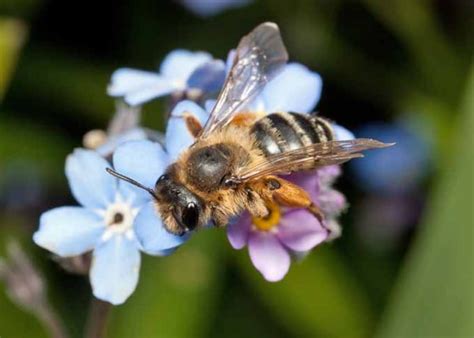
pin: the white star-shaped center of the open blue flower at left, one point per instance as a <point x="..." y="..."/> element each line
<point x="118" y="218"/>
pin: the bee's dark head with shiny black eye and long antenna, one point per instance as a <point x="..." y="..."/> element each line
<point x="179" y="208"/>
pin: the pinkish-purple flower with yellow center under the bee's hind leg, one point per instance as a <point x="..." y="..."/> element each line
<point x="274" y="240"/>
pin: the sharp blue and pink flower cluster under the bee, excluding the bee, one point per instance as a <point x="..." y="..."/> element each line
<point x="116" y="221"/>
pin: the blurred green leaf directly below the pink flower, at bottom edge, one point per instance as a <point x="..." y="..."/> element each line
<point x="318" y="297"/>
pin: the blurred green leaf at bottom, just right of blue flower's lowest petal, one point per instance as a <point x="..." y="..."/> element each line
<point x="177" y="295"/>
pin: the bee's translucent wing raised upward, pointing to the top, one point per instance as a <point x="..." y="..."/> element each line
<point x="260" y="55"/>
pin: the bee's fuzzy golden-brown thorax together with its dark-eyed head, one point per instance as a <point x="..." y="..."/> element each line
<point x="193" y="187"/>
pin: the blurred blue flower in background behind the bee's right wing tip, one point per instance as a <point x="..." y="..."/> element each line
<point x="398" y="169"/>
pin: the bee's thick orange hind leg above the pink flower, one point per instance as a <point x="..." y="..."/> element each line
<point x="288" y="194"/>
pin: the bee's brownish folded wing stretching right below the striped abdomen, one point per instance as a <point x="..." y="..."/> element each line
<point x="310" y="157"/>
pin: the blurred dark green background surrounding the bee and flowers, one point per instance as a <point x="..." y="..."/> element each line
<point x="384" y="61"/>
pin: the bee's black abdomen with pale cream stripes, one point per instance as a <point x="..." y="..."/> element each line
<point x="281" y="132"/>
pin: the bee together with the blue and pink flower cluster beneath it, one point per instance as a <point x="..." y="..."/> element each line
<point x="214" y="166"/>
